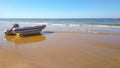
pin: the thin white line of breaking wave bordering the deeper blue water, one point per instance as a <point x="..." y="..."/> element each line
<point x="70" y="25"/>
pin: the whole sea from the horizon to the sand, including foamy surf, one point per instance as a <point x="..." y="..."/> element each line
<point x="91" y="25"/>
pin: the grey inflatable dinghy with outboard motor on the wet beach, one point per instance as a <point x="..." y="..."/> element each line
<point x="25" y="30"/>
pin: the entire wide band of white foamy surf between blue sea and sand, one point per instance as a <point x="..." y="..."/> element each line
<point x="93" y="28"/>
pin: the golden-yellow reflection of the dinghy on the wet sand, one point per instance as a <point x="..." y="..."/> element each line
<point x="17" y="40"/>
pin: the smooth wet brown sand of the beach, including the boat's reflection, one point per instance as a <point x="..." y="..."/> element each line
<point x="60" y="50"/>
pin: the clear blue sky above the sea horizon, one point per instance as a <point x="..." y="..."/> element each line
<point x="59" y="9"/>
